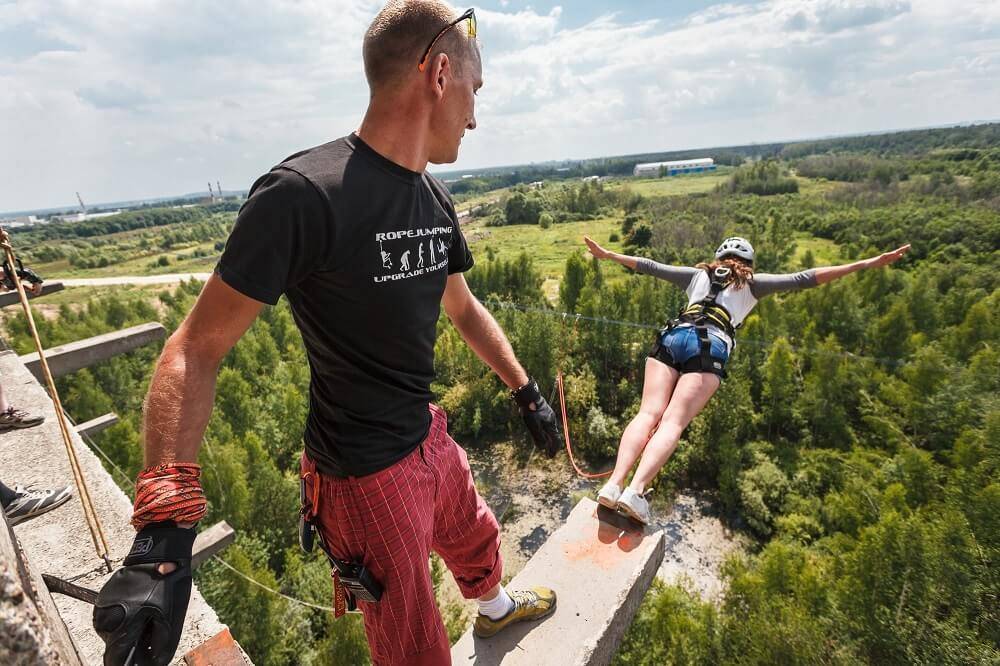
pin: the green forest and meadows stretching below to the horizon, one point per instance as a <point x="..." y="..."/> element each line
<point x="856" y="442"/>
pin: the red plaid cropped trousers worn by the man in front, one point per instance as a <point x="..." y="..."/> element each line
<point x="391" y="520"/>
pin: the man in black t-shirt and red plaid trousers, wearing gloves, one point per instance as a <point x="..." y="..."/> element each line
<point x="366" y="247"/>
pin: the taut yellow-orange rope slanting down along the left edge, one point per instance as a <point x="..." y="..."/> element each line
<point x="89" y="512"/>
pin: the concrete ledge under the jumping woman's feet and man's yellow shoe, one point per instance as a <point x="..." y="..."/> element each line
<point x="600" y="574"/>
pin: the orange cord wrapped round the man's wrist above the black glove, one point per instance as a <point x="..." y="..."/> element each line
<point x="170" y="492"/>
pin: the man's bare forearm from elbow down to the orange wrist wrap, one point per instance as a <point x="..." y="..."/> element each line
<point x="178" y="405"/>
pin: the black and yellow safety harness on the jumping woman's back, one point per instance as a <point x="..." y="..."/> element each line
<point x="706" y="312"/>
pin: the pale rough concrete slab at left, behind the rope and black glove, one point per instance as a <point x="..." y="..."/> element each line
<point x="58" y="542"/>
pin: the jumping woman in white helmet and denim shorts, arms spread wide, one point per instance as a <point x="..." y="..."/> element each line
<point x="688" y="361"/>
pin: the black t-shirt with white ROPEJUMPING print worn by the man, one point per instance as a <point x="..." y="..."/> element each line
<point x="362" y="248"/>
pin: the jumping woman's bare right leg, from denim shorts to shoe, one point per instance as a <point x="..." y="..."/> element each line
<point x="691" y="394"/>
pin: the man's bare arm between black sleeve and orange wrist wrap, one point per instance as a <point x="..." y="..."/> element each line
<point x="182" y="391"/>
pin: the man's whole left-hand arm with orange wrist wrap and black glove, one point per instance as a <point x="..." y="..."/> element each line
<point x="140" y="610"/>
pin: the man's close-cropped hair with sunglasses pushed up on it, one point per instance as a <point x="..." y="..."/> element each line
<point x="396" y="39"/>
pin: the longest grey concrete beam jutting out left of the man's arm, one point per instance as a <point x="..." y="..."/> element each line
<point x="74" y="356"/>
